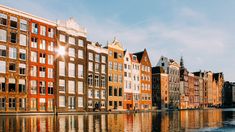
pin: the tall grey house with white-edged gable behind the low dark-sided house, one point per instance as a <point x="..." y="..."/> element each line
<point x="172" y="68"/>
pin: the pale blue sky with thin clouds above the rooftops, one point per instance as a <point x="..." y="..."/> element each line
<point x="202" y="31"/>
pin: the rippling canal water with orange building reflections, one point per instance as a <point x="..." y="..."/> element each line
<point x="188" y="120"/>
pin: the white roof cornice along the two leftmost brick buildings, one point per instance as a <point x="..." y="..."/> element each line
<point x="27" y="15"/>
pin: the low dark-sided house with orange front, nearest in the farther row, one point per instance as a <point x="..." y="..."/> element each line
<point x="160" y="87"/>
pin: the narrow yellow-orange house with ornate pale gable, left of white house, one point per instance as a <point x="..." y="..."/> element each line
<point x="115" y="73"/>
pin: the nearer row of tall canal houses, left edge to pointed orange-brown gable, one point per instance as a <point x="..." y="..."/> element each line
<point x="48" y="66"/>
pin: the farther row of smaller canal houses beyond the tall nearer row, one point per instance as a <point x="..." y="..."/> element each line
<point x="175" y="87"/>
